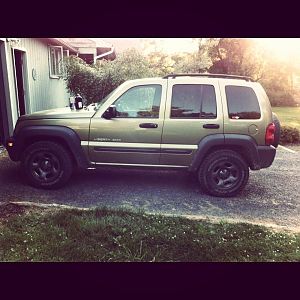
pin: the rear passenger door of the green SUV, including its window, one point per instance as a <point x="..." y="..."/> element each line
<point x="193" y="111"/>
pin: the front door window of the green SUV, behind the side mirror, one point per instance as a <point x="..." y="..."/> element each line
<point x="139" y="102"/>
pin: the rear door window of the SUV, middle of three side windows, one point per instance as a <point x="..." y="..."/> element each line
<point x="193" y="101"/>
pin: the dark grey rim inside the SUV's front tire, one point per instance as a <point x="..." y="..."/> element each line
<point x="45" y="166"/>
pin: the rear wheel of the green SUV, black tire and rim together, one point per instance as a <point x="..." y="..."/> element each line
<point x="223" y="173"/>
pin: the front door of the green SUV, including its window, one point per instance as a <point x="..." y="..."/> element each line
<point x="133" y="137"/>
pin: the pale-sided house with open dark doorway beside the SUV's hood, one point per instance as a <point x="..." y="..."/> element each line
<point x="31" y="75"/>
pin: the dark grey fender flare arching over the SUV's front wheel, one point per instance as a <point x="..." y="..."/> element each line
<point x="69" y="136"/>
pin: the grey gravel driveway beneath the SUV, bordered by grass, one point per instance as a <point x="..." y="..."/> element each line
<point x="271" y="196"/>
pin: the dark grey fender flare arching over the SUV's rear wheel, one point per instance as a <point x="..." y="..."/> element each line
<point x="244" y="142"/>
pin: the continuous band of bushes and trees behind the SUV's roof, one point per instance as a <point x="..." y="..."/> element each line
<point x="215" y="55"/>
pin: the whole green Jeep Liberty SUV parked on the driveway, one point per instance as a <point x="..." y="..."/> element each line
<point x="215" y="126"/>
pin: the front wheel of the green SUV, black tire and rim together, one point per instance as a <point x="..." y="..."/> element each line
<point x="46" y="165"/>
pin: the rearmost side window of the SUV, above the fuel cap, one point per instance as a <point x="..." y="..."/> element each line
<point x="242" y="102"/>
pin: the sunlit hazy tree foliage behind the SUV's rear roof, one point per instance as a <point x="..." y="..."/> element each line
<point x="243" y="57"/>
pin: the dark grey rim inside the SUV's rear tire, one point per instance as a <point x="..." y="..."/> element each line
<point x="225" y="174"/>
